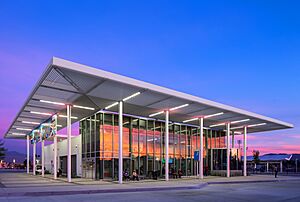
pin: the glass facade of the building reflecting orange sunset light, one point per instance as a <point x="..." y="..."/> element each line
<point x="144" y="146"/>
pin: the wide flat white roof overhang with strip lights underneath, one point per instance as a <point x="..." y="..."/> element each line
<point x="76" y="84"/>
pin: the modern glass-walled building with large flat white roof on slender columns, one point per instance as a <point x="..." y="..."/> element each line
<point x="126" y="124"/>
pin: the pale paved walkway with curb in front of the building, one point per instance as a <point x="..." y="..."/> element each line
<point x="22" y="184"/>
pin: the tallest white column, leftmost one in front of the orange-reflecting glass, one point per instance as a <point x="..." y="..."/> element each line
<point x="120" y="142"/>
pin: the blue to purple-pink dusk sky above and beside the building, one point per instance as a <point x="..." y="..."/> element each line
<point x="241" y="53"/>
